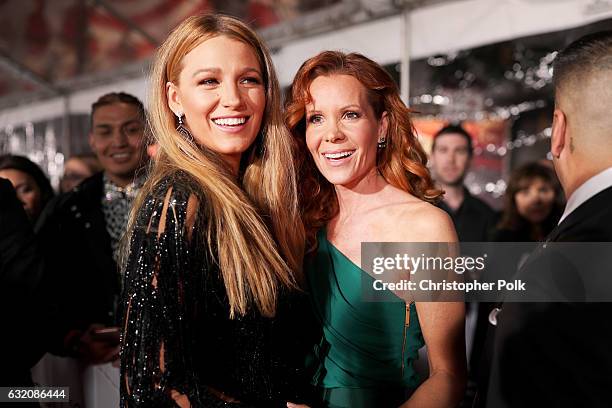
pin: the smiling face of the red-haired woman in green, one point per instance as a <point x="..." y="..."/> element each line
<point x="342" y="130"/>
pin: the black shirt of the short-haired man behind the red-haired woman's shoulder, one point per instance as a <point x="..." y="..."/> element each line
<point x="474" y="220"/>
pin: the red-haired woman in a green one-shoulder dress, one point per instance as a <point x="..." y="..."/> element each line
<point x="364" y="179"/>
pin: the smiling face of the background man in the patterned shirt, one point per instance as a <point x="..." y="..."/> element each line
<point x="117" y="139"/>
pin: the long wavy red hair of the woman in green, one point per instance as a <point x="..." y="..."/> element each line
<point x="402" y="162"/>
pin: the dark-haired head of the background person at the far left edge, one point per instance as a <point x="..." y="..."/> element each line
<point x="33" y="188"/>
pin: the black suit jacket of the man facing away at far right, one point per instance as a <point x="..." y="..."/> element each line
<point x="556" y="354"/>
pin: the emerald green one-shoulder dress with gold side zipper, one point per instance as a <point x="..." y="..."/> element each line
<point x="365" y="356"/>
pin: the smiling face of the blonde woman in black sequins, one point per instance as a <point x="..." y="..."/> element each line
<point x="221" y="92"/>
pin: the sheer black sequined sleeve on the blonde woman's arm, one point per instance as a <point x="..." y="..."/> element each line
<point x="160" y="305"/>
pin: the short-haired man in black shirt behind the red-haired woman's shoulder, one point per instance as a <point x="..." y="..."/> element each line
<point x="451" y="156"/>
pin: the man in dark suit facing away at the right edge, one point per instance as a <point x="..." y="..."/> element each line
<point x="559" y="354"/>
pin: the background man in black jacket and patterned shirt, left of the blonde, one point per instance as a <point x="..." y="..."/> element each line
<point x="81" y="231"/>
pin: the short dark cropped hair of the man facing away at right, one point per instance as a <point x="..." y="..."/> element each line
<point x="583" y="56"/>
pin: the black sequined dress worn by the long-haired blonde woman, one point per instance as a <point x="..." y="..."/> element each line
<point x="178" y="337"/>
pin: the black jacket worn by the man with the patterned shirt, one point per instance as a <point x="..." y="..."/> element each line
<point x="82" y="278"/>
